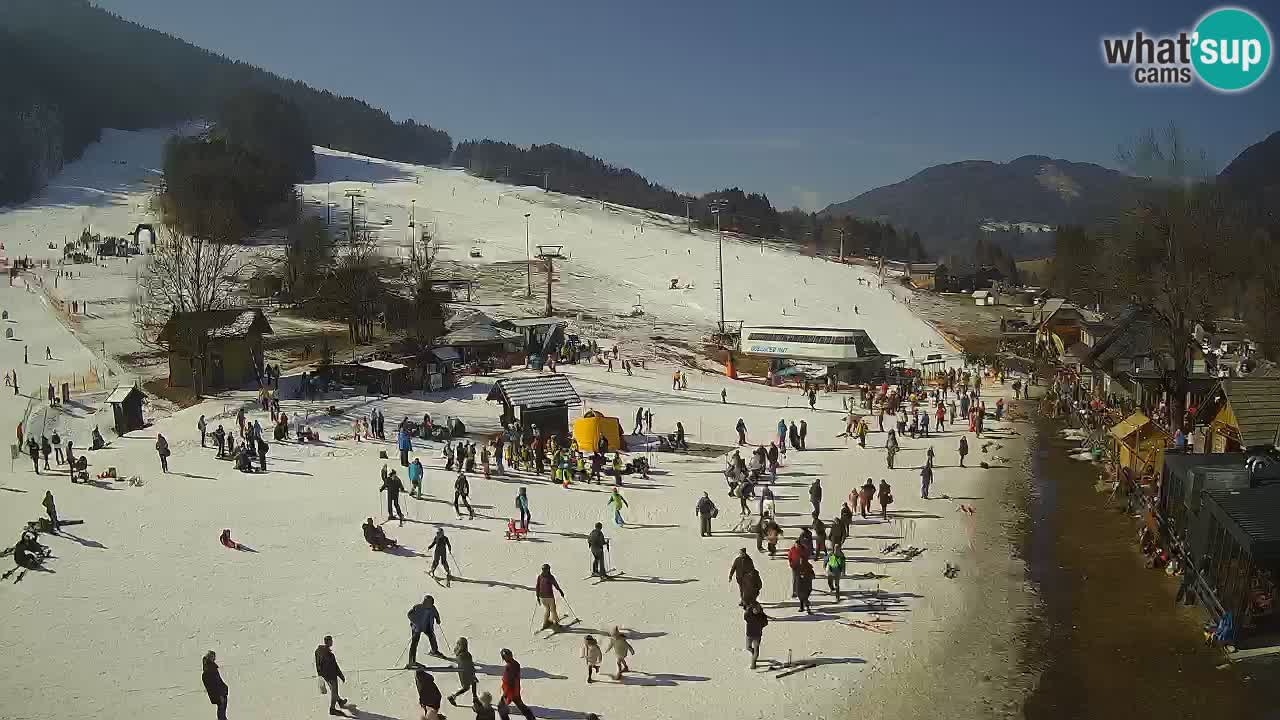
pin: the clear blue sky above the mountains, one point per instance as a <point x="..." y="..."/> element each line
<point x="811" y="103"/>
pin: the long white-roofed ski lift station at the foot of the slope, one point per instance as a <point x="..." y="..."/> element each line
<point x="848" y="354"/>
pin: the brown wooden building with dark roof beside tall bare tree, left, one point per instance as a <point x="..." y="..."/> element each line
<point x="225" y="345"/>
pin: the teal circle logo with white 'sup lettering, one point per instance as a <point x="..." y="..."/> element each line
<point x="1232" y="49"/>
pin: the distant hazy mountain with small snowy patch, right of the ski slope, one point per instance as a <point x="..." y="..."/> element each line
<point x="948" y="203"/>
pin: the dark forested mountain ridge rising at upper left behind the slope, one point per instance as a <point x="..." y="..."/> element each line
<point x="71" y="70"/>
